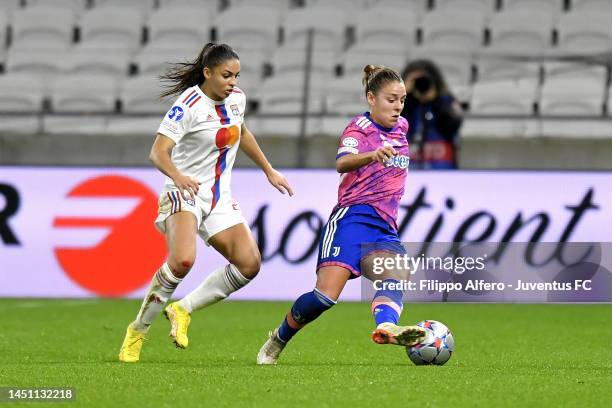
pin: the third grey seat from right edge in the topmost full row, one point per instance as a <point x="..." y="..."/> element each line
<point x="455" y="31"/>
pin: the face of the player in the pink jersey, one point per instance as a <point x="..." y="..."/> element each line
<point x="387" y="104"/>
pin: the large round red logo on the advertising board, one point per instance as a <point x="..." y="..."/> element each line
<point x="127" y="258"/>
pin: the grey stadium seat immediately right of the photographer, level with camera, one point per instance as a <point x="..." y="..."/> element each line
<point x="504" y="97"/>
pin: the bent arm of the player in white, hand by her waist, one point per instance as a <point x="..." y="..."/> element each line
<point x="161" y="157"/>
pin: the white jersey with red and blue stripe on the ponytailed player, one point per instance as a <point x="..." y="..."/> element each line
<point x="207" y="135"/>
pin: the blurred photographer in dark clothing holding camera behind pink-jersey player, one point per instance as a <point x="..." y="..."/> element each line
<point x="434" y="117"/>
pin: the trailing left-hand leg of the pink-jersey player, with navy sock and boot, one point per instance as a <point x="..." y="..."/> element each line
<point x="307" y="308"/>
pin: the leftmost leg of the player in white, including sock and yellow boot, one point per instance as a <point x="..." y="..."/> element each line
<point x="180" y="237"/>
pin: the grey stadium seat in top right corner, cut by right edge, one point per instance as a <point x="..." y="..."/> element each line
<point x="585" y="32"/>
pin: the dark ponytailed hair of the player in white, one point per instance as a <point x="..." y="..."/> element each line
<point x="187" y="74"/>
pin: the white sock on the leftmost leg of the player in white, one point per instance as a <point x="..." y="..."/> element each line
<point x="162" y="286"/>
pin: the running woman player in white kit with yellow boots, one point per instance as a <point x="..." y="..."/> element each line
<point x="195" y="148"/>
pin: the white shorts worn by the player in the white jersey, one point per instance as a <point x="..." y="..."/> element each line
<point x="226" y="213"/>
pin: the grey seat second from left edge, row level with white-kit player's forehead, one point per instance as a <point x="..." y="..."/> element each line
<point x="87" y="61"/>
